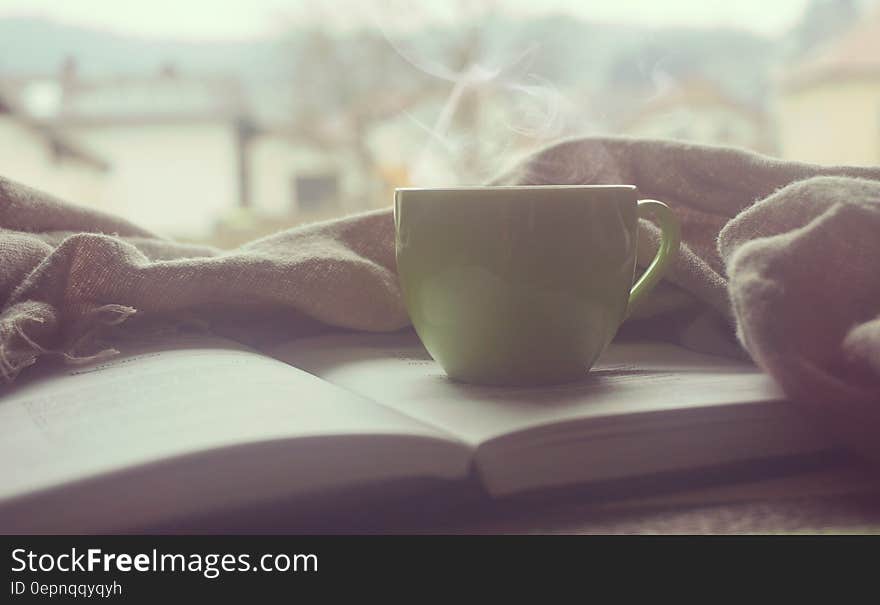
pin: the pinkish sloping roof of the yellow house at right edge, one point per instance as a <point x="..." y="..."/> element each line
<point x="855" y="54"/>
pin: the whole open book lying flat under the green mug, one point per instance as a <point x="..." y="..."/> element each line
<point x="206" y="424"/>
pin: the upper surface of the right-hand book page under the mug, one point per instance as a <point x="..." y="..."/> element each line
<point x="633" y="384"/>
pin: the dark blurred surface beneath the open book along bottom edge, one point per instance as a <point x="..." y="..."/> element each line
<point x="837" y="495"/>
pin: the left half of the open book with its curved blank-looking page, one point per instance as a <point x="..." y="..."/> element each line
<point x="157" y="404"/>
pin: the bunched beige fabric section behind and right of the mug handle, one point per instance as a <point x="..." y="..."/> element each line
<point x="788" y="253"/>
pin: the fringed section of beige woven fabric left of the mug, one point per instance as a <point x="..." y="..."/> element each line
<point x="66" y="272"/>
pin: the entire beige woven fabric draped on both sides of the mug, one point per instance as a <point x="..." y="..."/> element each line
<point x="785" y="253"/>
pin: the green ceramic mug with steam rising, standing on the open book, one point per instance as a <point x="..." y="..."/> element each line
<point x="523" y="285"/>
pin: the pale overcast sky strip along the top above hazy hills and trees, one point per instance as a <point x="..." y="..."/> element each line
<point x="211" y="19"/>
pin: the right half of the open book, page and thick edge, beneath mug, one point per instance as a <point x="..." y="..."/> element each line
<point x="644" y="408"/>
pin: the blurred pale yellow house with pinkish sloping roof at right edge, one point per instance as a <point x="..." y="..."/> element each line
<point x="829" y="103"/>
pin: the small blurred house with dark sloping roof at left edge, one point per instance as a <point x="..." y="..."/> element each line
<point x="35" y="154"/>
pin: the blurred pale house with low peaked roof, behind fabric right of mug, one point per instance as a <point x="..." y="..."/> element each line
<point x="698" y="110"/>
